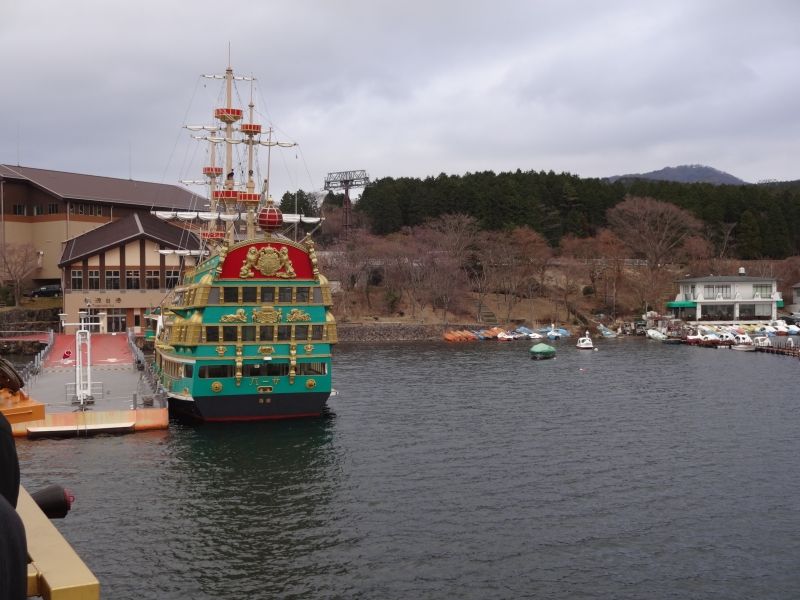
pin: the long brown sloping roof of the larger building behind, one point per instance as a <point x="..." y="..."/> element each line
<point x="105" y="190"/>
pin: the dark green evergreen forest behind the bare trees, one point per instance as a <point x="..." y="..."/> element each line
<point x="740" y="221"/>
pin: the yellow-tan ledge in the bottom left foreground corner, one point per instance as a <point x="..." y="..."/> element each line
<point x="54" y="568"/>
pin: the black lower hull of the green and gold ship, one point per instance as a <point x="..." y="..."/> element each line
<point x="250" y="407"/>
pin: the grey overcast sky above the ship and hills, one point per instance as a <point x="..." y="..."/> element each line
<point x="408" y="88"/>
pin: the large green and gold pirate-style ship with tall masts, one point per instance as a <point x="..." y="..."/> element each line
<point x="248" y="334"/>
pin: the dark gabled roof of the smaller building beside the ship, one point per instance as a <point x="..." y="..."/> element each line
<point x="125" y="230"/>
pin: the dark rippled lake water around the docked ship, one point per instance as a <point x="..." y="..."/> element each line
<point x="641" y="470"/>
